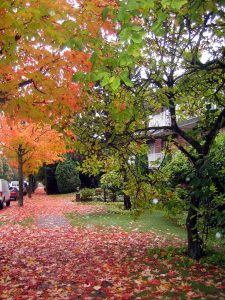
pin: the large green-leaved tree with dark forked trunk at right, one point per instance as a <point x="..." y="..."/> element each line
<point x="166" y="55"/>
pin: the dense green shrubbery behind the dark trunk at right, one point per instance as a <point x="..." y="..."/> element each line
<point x="183" y="182"/>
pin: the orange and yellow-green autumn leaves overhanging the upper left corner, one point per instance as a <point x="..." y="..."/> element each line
<point x="40" y="49"/>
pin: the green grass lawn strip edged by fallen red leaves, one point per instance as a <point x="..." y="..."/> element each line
<point x="148" y="221"/>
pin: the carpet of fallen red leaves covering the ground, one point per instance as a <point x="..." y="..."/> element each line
<point x="90" y="262"/>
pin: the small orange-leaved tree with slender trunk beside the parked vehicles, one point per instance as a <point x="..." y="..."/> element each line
<point x="28" y="146"/>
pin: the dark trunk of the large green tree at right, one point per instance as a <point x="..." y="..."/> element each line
<point x="195" y="243"/>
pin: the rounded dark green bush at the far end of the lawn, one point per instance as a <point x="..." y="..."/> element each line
<point x="67" y="176"/>
